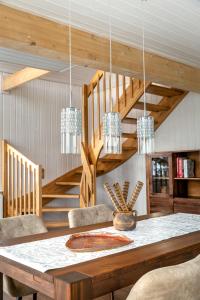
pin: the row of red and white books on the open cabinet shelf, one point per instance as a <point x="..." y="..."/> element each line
<point x="185" y="167"/>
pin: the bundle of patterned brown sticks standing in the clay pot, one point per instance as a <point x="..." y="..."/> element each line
<point x="120" y="198"/>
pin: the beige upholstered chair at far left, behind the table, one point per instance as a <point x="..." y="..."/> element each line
<point x="17" y="227"/>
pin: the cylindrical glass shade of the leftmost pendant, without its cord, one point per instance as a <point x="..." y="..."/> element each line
<point x="70" y="130"/>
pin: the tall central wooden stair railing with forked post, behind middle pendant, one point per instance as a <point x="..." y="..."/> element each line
<point x="95" y="97"/>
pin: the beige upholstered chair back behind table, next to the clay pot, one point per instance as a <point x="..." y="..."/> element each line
<point x="89" y="215"/>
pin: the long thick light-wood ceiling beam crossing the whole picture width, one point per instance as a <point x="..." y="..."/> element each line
<point x="28" y="33"/>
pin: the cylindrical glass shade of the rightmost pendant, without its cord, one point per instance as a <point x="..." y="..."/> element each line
<point x="145" y="134"/>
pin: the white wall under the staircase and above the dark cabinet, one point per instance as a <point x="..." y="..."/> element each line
<point x="181" y="130"/>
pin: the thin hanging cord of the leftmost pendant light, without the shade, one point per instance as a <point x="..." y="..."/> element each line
<point x="70" y="55"/>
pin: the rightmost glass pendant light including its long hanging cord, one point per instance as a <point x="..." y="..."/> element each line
<point x="145" y="123"/>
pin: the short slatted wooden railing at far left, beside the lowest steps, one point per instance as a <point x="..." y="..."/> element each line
<point x="21" y="183"/>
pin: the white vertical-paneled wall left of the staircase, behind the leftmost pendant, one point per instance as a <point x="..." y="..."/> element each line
<point x="30" y="121"/>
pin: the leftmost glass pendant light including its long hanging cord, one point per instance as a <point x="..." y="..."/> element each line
<point x="70" y="116"/>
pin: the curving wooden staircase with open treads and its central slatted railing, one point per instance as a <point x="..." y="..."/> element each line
<point x="93" y="164"/>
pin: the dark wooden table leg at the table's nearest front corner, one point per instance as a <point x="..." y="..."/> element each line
<point x="73" y="286"/>
